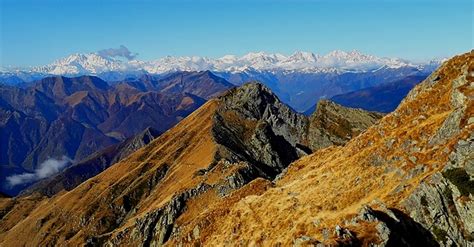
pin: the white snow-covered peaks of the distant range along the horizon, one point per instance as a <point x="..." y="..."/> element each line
<point x="93" y="63"/>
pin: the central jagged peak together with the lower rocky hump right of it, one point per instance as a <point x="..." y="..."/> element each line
<point x="253" y="125"/>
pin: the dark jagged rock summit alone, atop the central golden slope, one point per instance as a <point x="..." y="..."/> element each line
<point x="252" y="125"/>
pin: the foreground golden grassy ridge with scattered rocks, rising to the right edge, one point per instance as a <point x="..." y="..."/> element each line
<point x="398" y="183"/>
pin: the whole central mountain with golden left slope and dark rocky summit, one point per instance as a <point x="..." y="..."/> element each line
<point x="245" y="134"/>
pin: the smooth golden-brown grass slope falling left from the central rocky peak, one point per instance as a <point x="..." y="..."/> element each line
<point x="90" y="209"/>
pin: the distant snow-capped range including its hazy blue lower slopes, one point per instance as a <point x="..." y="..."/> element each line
<point x="299" y="79"/>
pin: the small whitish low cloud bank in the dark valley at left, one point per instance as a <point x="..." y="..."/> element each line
<point x="47" y="168"/>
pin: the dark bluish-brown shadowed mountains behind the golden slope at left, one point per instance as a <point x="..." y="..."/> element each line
<point x="75" y="117"/>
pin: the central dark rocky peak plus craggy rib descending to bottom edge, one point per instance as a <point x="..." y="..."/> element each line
<point x="256" y="136"/>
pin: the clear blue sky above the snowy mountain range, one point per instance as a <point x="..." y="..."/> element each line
<point x="37" y="32"/>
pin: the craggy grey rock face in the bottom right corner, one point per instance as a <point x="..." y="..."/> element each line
<point x="444" y="204"/>
